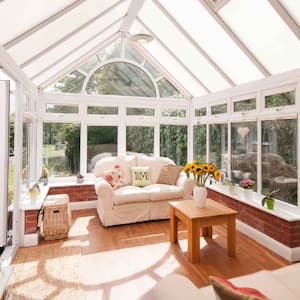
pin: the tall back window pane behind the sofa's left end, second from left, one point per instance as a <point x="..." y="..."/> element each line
<point x="102" y="142"/>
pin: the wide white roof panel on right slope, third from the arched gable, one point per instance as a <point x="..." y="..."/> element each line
<point x="201" y="26"/>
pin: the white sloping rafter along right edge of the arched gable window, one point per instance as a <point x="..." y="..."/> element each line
<point x="161" y="69"/>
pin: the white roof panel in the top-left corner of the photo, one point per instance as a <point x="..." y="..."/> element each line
<point x="28" y="13"/>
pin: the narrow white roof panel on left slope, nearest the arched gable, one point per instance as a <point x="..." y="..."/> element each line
<point x="75" y="56"/>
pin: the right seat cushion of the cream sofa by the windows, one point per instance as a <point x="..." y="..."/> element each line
<point x="159" y="192"/>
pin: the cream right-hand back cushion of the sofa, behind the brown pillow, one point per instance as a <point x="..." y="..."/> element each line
<point x="155" y="164"/>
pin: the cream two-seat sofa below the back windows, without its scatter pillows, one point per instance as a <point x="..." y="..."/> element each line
<point x="130" y="204"/>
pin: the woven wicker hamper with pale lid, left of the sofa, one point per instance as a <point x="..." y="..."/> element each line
<point x="57" y="217"/>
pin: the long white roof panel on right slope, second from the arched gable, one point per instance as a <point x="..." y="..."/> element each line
<point x="181" y="47"/>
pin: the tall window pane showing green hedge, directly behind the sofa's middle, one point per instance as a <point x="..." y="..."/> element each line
<point x="139" y="140"/>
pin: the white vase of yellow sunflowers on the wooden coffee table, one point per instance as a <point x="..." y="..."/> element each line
<point x="201" y="173"/>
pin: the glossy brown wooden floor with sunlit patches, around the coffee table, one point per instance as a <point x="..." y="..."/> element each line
<point x="130" y="259"/>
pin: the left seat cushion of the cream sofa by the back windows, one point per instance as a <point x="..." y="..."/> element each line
<point x="130" y="194"/>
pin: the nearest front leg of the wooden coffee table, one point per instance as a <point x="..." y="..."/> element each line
<point x="193" y="242"/>
